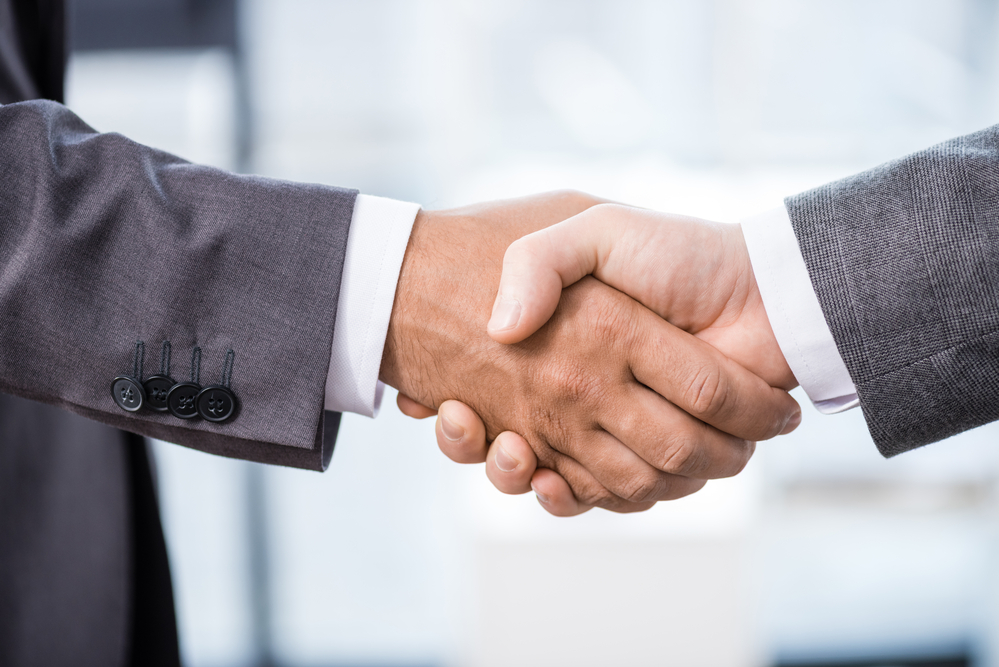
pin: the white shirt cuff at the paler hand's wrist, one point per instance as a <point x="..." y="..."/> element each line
<point x="795" y="314"/>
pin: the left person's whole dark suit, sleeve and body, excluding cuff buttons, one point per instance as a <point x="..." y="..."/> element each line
<point x="104" y="242"/>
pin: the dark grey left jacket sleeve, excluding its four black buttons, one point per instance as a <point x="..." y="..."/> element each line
<point x="104" y="242"/>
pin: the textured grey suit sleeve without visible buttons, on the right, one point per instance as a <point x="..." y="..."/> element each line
<point x="904" y="259"/>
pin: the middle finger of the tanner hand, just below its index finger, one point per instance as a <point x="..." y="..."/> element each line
<point x="671" y="440"/>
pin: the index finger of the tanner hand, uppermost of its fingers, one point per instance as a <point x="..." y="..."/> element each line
<point x="702" y="381"/>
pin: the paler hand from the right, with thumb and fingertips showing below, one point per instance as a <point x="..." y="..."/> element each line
<point x="693" y="273"/>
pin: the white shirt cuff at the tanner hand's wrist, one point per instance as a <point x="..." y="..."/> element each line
<point x="376" y="244"/>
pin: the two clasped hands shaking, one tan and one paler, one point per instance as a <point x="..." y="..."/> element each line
<point x="628" y="357"/>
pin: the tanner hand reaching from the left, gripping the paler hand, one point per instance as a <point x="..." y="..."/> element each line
<point x="625" y="407"/>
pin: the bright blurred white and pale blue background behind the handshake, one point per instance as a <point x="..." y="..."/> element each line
<point x="820" y="553"/>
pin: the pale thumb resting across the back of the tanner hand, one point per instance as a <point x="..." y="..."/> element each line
<point x="538" y="266"/>
